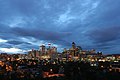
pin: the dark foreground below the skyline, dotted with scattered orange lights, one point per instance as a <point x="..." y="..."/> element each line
<point x="34" y="70"/>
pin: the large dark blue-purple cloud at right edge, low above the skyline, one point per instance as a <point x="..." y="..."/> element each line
<point x="106" y="38"/>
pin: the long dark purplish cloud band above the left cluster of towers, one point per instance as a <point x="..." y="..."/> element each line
<point x="40" y="34"/>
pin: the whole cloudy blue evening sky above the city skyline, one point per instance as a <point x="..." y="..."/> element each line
<point x="91" y="24"/>
